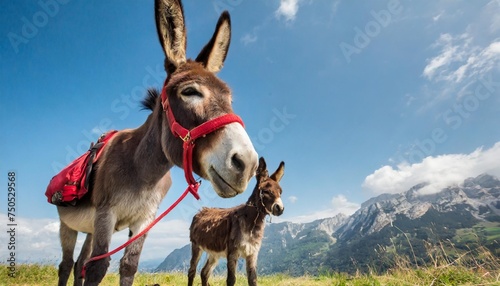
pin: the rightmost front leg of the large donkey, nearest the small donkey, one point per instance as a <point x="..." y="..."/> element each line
<point x="130" y="259"/>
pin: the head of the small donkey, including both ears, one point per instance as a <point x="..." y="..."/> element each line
<point x="267" y="193"/>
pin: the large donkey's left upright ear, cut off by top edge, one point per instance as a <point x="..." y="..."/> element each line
<point x="171" y="32"/>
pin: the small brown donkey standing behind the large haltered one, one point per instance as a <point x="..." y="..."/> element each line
<point x="237" y="231"/>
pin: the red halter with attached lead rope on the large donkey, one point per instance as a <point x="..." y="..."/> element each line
<point x="189" y="137"/>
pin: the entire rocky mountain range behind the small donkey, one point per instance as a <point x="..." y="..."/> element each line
<point x="407" y="224"/>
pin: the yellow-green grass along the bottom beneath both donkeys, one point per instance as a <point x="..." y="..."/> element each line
<point x="457" y="267"/>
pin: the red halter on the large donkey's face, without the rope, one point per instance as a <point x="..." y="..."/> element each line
<point x="189" y="137"/>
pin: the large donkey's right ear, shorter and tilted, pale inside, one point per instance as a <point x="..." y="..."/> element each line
<point x="212" y="56"/>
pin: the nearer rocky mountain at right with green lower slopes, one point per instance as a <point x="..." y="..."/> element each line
<point x="411" y="223"/>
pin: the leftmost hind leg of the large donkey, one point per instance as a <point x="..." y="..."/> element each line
<point x="68" y="241"/>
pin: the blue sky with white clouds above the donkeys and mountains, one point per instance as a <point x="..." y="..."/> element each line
<point x="357" y="97"/>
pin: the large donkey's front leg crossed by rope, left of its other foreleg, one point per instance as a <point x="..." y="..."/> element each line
<point x="103" y="230"/>
